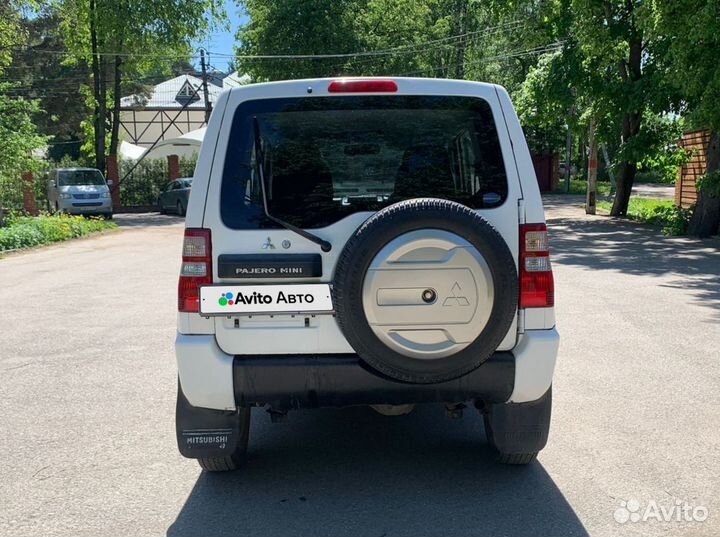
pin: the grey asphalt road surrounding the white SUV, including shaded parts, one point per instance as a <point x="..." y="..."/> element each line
<point x="87" y="388"/>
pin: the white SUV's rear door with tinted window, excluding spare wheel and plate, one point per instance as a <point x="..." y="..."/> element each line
<point x="331" y="161"/>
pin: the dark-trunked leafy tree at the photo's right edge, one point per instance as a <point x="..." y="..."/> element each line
<point x="691" y="31"/>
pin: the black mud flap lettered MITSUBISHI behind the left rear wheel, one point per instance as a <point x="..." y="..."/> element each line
<point x="204" y="432"/>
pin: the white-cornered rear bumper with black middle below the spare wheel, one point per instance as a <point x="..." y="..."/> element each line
<point x="212" y="379"/>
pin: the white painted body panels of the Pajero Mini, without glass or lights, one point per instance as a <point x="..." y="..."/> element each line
<point x="207" y="346"/>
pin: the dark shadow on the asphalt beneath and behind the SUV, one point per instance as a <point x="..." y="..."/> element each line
<point x="349" y="472"/>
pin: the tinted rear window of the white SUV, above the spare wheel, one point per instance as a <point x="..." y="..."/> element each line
<point x="329" y="157"/>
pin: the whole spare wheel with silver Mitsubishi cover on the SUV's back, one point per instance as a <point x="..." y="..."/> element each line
<point x="425" y="290"/>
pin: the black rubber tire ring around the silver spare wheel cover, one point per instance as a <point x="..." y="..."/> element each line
<point x="378" y="231"/>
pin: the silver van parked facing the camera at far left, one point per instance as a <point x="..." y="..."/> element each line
<point x="79" y="191"/>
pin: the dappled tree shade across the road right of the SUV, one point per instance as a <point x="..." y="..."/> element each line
<point x="611" y="244"/>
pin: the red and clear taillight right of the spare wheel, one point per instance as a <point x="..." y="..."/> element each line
<point x="537" y="288"/>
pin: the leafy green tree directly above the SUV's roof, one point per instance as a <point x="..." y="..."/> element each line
<point x="435" y="38"/>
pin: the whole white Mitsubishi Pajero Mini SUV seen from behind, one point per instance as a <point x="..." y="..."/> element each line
<point x="365" y="241"/>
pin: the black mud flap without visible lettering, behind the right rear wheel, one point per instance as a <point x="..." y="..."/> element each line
<point x="516" y="428"/>
